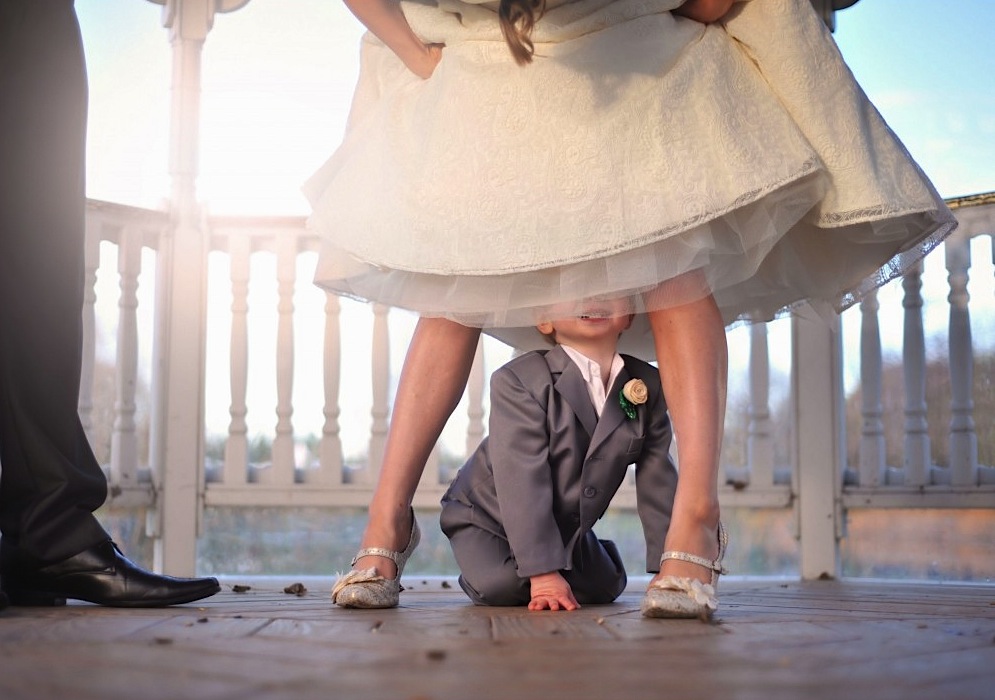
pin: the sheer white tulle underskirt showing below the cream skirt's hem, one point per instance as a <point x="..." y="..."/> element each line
<point x="750" y="280"/>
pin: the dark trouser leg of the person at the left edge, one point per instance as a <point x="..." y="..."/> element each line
<point x="50" y="481"/>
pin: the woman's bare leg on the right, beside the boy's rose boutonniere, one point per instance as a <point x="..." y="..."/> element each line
<point x="691" y="348"/>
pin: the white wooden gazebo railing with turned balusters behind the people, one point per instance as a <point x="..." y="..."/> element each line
<point x="817" y="484"/>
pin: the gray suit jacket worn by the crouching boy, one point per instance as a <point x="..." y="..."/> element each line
<point x="549" y="466"/>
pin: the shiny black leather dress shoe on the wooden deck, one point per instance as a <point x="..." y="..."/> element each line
<point x="101" y="575"/>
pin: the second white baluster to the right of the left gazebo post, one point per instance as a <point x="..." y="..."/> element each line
<point x="283" y="443"/>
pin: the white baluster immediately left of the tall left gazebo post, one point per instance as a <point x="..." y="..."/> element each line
<point x="124" y="443"/>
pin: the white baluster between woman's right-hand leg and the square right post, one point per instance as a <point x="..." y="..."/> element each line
<point x="759" y="440"/>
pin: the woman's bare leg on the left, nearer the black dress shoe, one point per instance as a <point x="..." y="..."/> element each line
<point x="435" y="372"/>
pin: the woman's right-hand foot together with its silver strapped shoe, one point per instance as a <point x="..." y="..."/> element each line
<point x="685" y="586"/>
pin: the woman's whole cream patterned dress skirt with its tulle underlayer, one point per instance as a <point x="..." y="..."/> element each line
<point x="637" y="147"/>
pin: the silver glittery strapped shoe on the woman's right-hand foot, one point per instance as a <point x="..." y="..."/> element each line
<point x="681" y="597"/>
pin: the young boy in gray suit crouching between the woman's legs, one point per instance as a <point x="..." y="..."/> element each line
<point x="562" y="434"/>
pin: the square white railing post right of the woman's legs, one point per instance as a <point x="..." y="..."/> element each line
<point x="817" y="397"/>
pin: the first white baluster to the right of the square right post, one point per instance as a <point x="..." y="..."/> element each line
<point x="872" y="444"/>
